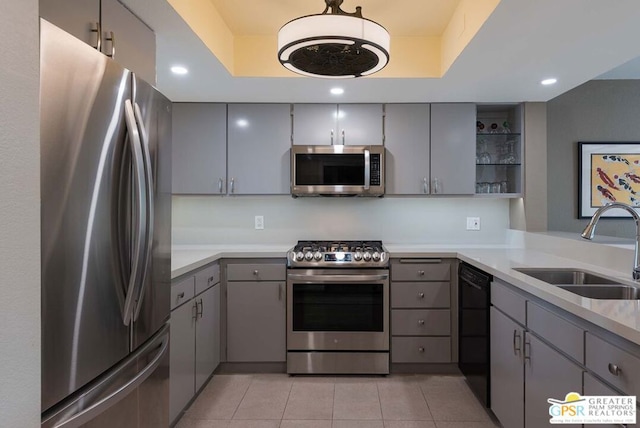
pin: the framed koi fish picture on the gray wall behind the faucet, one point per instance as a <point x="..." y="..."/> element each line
<point x="608" y="172"/>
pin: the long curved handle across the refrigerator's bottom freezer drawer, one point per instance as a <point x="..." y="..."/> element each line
<point x="66" y="419"/>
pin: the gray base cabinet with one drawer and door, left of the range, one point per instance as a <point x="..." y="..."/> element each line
<point x="256" y="312"/>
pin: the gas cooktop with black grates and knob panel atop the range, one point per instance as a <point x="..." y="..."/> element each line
<point x="338" y="254"/>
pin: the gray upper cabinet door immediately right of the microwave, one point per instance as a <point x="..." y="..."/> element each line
<point x="407" y="130"/>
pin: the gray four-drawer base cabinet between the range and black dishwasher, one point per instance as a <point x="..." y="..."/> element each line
<point x="420" y="311"/>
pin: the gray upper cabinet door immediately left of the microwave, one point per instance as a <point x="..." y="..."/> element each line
<point x="259" y="139"/>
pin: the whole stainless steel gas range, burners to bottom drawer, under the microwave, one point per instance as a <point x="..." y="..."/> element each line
<point x="338" y="308"/>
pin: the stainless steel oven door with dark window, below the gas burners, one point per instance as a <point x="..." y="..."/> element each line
<point x="337" y="310"/>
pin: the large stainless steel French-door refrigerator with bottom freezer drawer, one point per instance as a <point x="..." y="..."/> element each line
<point x="106" y="240"/>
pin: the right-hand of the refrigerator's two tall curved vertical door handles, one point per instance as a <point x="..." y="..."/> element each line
<point x="144" y="144"/>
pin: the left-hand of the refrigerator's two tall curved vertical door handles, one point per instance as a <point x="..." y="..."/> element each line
<point x="139" y="239"/>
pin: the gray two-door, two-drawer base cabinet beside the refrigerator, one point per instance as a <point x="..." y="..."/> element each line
<point x="195" y="335"/>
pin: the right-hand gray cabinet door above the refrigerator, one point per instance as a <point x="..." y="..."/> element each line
<point x="128" y="39"/>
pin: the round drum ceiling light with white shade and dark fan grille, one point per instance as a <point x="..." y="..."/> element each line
<point x="333" y="45"/>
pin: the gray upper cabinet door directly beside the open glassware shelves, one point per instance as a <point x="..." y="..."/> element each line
<point x="453" y="154"/>
